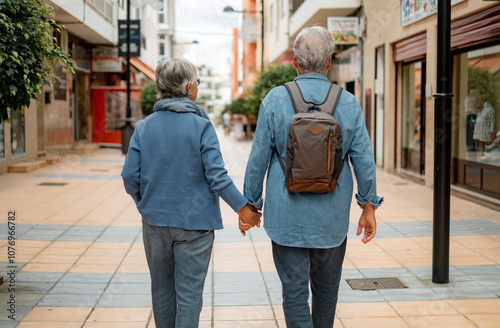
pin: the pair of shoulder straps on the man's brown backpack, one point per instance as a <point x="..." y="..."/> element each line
<point x="301" y="106"/>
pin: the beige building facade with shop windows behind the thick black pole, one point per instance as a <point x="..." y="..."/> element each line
<point x="399" y="78"/>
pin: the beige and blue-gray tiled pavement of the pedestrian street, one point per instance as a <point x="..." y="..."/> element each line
<point x="79" y="259"/>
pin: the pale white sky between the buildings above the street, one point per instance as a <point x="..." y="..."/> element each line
<point x="205" y="22"/>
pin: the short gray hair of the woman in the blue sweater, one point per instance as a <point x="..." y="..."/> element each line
<point x="172" y="77"/>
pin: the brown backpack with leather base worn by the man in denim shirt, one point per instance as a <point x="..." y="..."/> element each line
<point x="314" y="147"/>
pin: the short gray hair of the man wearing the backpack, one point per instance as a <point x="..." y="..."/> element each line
<point x="313" y="47"/>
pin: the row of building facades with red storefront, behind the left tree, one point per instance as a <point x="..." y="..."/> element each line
<point x="87" y="105"/>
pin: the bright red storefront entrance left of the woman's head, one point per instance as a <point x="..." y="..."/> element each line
<point x="110" y="113"/>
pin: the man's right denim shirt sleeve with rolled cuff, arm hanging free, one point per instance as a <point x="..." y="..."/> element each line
<point x="363" y="163"/>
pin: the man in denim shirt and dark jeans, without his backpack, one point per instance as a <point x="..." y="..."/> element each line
<point x="308" y="231"/>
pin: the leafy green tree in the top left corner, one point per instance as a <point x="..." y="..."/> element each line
<point x="28" y="52"/>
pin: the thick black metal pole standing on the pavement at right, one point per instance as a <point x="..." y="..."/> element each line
<point x="442" y="148"/>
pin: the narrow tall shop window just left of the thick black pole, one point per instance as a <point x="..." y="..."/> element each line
<point x="413" y="118"/>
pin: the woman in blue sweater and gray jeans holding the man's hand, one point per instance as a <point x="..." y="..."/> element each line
<point x="175" y="173"/>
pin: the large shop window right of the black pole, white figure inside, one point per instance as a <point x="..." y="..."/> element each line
<point x="476" y="120"/>
